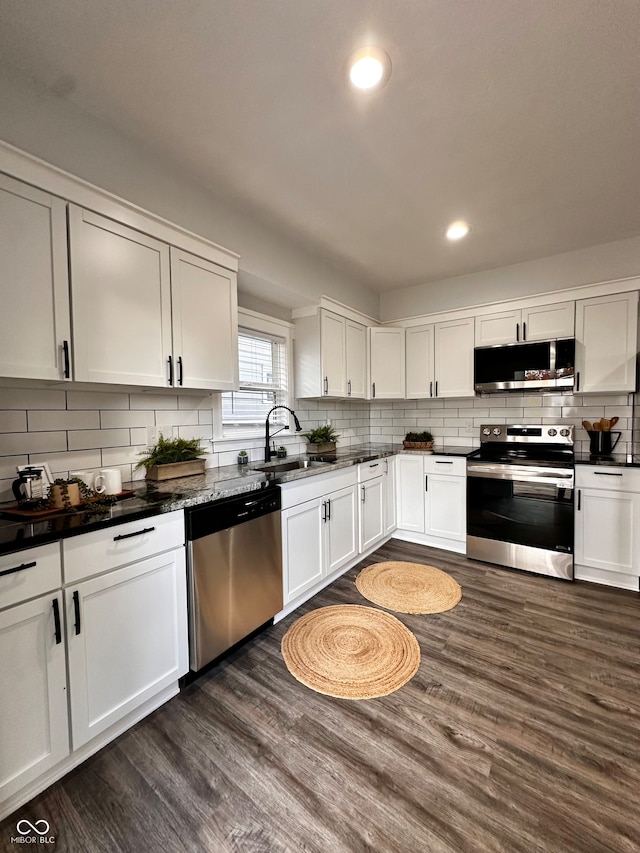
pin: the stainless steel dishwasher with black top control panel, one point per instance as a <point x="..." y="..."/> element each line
<point x="234" y="554"/>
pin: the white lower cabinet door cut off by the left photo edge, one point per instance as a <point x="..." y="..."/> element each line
<point x="33" y="696"/>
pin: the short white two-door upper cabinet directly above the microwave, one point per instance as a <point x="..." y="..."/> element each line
<point x="542" y="323"/>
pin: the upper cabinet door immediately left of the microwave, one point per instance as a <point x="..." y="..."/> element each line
<point x="454" y="358"/>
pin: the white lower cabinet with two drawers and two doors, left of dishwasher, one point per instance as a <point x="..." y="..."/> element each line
<point x="120" y="621"/>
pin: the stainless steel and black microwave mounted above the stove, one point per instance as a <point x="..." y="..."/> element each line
<point x="525" y="366"/>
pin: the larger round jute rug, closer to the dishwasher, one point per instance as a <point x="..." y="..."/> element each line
<point x="351" y="652"/>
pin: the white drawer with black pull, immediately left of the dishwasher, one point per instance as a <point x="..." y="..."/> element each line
<point x="94" y="553"/>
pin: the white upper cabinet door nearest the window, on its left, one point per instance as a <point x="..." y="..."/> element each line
<point x="205" y="323"/>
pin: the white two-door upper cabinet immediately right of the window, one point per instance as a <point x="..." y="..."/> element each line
<point x="330" y="356"/>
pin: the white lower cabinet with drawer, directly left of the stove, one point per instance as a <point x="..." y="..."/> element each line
<point x="431" y="495"/>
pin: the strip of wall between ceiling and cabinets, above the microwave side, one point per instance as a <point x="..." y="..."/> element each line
<point x="606" y="262"/>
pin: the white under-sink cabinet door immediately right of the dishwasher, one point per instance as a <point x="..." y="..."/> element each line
<point x="302" y="547"/>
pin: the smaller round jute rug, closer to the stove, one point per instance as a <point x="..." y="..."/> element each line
<point x="409" y="587"/>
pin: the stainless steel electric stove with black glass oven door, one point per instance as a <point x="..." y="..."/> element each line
<point x="520" y="498"/>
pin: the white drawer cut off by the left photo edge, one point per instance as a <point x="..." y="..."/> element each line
<point x="38" y="572"/>
